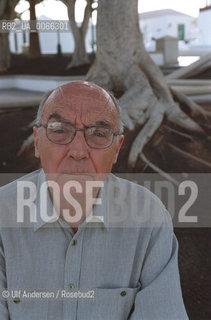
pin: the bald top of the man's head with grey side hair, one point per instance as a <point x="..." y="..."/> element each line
<point x="72" y="92"/>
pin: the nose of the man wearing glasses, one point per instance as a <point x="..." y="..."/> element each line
<point x="78" y="148"/>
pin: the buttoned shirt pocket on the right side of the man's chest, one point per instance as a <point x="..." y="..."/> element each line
<point x="108" y="304"/>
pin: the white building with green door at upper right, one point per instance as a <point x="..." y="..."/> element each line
<point x="167" y="22"/>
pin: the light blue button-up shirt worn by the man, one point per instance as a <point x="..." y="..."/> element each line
<point x="132" y="266"/>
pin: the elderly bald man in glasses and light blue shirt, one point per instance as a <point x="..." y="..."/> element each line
<point x="74" y="228"/>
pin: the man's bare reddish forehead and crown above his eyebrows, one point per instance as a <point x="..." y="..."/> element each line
<point x="77" y="95"/>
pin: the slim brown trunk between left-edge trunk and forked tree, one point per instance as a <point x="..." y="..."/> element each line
<point x="34" y="45"/>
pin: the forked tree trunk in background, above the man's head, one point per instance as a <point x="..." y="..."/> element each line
<point x="80" y="55"/>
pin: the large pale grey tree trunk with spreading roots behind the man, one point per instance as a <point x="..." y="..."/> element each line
<point x="122" y="65"/>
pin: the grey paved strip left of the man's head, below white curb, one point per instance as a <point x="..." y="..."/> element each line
<point x="10" y="98"/>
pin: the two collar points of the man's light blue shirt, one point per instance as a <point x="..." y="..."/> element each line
<point x="99" y="214"/>
